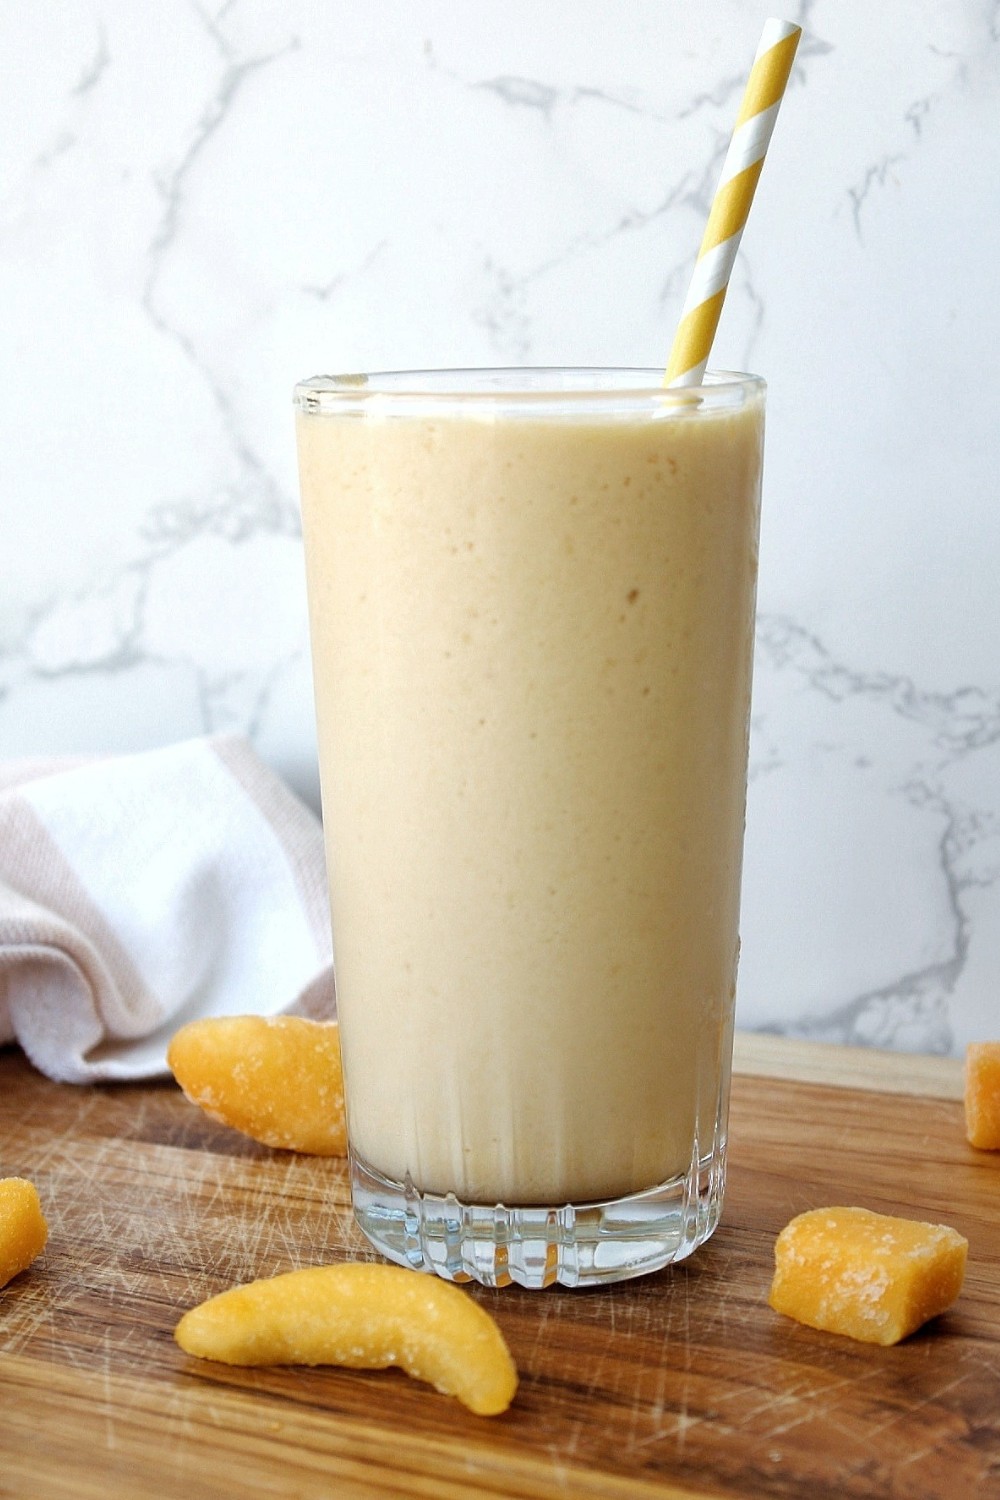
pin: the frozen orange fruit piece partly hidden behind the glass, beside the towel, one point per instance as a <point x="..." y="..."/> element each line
<point x="275" y="1078"/>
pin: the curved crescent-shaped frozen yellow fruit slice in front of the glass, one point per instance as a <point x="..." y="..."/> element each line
<point x="365" y="1316"/>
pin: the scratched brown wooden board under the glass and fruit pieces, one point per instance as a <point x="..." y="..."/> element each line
<point x="677" y="1385"/>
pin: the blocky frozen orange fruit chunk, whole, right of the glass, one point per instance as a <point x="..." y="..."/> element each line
<point x="867" y="1276"/>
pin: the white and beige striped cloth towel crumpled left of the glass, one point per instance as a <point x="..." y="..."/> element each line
<point x="143" y="892"/>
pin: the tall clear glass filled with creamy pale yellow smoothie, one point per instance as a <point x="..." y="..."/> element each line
<point x="531" y="611"/>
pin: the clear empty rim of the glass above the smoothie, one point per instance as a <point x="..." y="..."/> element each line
<point x="528" y="386"/>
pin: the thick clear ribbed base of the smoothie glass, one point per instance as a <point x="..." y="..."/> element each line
<point x="576" y="1246"/>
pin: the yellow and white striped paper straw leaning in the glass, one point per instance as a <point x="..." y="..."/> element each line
<point x="731" y="206"/>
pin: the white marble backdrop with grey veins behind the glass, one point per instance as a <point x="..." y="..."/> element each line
<point x="202" y="203"/>
